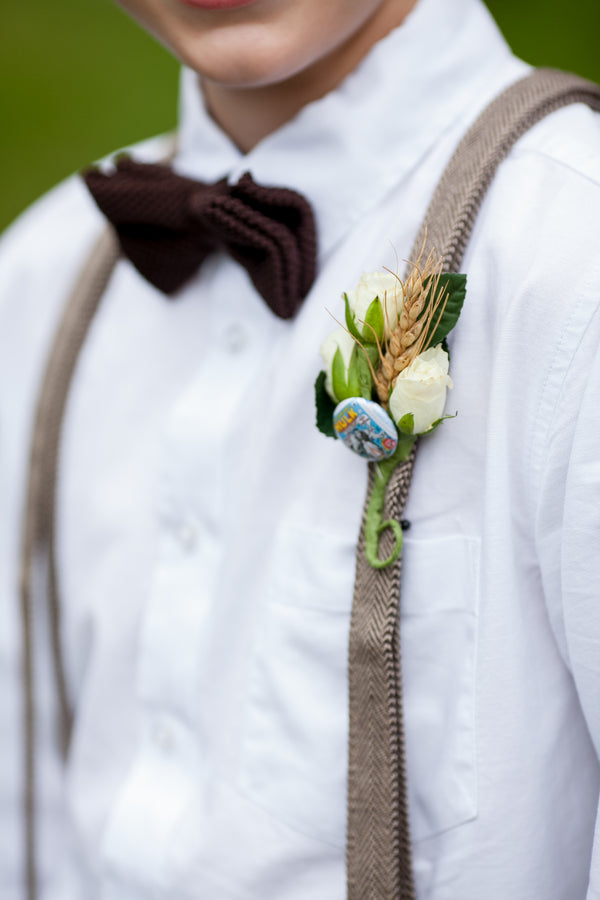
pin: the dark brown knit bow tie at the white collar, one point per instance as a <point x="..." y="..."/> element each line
<point x="167" y="225"/>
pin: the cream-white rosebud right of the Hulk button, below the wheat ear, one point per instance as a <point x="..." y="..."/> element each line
<point x="420" y="389"/>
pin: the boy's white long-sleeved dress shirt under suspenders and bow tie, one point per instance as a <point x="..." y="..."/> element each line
<point x="206" y="529"/>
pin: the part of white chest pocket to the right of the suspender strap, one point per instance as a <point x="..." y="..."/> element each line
<point x="438" y="635"/>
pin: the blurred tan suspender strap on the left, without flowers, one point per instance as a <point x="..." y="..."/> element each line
<point x="38" y="531"/>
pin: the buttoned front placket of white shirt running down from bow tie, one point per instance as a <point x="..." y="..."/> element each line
<point x="181" y="616"/>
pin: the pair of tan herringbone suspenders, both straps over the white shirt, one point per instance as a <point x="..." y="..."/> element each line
<point x="378" y="854"/>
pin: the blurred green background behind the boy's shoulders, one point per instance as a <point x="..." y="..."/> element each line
<point x="78" y="79"/>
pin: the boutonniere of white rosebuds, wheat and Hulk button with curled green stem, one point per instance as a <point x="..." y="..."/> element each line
<point x="387" y="374"/>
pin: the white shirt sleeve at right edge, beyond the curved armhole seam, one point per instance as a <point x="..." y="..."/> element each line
<point x="568" y="527"/>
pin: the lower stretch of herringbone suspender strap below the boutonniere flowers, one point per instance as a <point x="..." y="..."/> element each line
<point x="376" y="776"/>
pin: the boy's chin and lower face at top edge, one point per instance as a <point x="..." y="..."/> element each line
<point x="268" y="42"/>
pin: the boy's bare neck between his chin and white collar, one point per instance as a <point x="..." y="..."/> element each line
<point x="248" y="114"/>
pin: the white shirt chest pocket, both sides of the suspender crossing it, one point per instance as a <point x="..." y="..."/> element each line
<point x="294" y="748"/>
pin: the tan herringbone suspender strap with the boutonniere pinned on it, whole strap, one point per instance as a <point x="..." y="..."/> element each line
<point x="378" y="860"/>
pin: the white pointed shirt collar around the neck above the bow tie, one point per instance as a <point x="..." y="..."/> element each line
<point x="345" y="151"/>
